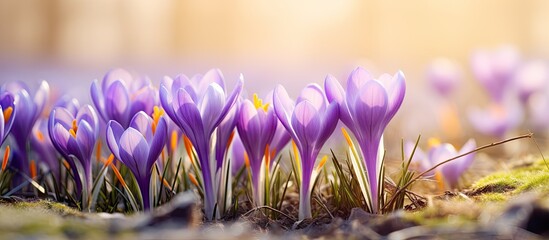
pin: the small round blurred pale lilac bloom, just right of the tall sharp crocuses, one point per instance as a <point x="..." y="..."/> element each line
<point x="444" y="76"/>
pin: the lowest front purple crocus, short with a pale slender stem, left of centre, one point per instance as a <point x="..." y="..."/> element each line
<point x="138" y="147"/>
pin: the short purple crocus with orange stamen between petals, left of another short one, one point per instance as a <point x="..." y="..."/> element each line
<point x="74" y="138"/>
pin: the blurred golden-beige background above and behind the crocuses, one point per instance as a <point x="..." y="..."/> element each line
<point x="293" y="43"/>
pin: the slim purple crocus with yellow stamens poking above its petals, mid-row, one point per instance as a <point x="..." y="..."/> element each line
<point x="256" y="127"/>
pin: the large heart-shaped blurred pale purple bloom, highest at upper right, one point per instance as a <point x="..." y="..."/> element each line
<point x="495" y="69"/>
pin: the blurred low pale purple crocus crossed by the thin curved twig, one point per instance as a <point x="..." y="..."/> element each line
<point x="450" y="171"/>
